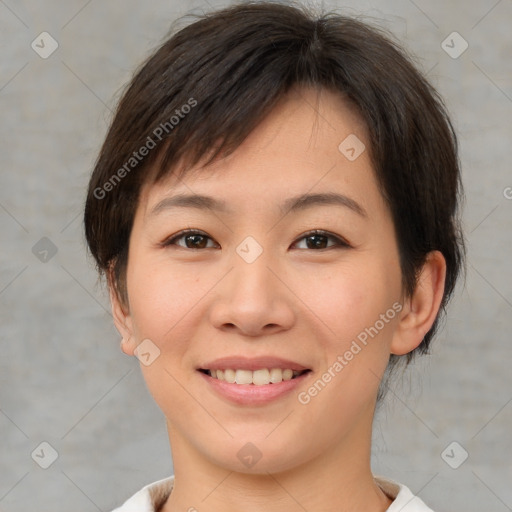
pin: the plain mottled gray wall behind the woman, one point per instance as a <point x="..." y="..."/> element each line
<point x="63" y="379"/>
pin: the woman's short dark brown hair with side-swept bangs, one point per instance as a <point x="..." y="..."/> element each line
<point x="211" y="83"/>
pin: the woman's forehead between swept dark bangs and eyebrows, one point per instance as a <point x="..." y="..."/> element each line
<point x="313" y="140"/>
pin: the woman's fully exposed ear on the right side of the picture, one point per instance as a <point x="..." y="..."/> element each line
<point x="420" y="310"/>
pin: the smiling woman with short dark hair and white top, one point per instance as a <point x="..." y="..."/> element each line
<point x="275" y="207"/>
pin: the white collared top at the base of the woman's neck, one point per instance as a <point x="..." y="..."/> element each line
<point x="151" y="497"/>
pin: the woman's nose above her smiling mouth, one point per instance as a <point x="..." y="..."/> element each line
<point x="253" y="300"/>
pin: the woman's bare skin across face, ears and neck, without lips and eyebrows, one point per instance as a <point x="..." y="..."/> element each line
<point x="294" y="301"/>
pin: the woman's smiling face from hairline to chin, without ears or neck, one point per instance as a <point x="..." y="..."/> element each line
<point x="291" y="263"/>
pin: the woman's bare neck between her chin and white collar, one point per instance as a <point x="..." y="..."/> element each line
<point x="339" y="481"/>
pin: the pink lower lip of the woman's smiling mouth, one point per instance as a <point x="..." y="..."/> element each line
<point x="250" y="394"/>
